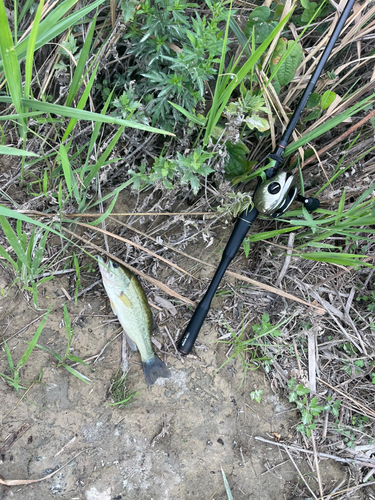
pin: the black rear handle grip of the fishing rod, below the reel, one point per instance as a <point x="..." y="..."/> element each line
<point x="243" y="224"/>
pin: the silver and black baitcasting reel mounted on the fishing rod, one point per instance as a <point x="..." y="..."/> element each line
<point x="275" y="196"/>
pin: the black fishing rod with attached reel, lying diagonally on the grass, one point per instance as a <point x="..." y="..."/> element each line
<point x="271" y="197"/>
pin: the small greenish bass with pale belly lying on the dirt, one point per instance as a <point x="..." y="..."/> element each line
<point x="129" y="304"/>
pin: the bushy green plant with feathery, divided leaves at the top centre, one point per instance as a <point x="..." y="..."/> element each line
<point x="173" y="56"/>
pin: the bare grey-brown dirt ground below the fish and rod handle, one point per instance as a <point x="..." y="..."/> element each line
<point x="170" y="444"/>
